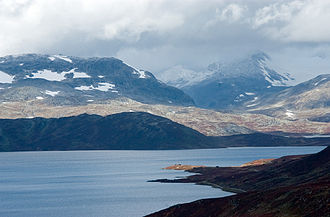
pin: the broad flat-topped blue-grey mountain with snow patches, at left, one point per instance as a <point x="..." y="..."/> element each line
<point x="63" y="80"/>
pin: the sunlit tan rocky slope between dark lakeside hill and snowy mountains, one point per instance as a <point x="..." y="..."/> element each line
<point x="208" y="122"/>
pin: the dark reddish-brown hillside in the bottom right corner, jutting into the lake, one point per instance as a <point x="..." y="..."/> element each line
<point x="289" y="186"/>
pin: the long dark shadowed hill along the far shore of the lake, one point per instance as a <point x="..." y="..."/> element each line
<point x="128" y="130"/>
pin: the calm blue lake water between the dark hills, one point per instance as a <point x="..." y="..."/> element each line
<point x="110" y="183"/>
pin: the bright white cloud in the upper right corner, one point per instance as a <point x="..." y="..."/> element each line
<point x="296" y="21"/>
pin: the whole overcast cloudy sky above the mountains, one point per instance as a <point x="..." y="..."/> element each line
<point x="155" y="35"/>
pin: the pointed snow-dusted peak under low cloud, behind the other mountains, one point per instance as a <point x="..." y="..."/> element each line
<point x="235" y="84"/>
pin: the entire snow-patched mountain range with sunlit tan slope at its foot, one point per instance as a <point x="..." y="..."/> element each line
<point x="51" y="86"/>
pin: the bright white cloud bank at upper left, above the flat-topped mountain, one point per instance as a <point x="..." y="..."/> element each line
<point x="32" y="25"/>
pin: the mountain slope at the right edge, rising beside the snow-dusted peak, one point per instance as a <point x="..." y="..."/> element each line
<point x="309" y="95"/>
